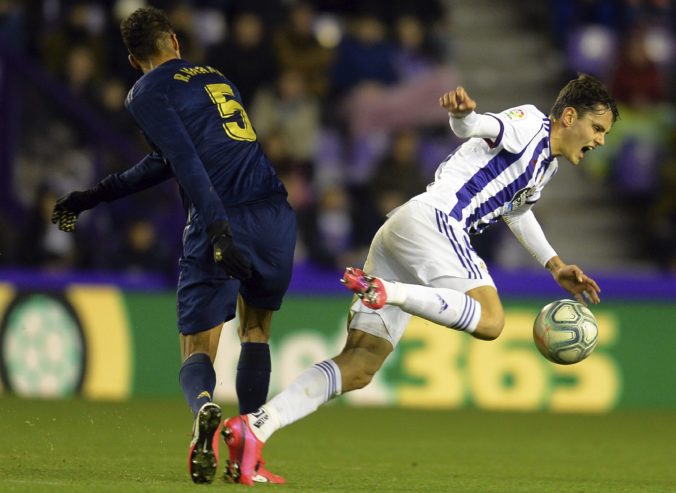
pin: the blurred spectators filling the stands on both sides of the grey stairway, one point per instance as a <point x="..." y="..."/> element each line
<point x="343" y="97"/>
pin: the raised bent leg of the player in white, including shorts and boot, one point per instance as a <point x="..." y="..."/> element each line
<point x="440" y="271"/>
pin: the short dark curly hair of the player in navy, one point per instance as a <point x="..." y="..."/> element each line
<point x="145" y="31"/>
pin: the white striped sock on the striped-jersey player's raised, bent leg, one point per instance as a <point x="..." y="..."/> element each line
<point x="443" y="306"/>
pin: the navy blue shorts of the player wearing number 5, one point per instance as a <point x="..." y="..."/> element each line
<point x="265" y="232"/>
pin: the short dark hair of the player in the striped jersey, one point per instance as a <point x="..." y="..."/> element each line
<point x="585" y="94"/>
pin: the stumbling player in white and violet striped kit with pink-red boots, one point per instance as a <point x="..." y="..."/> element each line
<point x="421" y="261"/>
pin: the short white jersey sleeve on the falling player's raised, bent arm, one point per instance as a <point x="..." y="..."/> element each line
<point x="519" y="126"/>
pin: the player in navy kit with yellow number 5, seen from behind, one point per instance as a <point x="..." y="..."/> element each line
<point x="240" y="233"/>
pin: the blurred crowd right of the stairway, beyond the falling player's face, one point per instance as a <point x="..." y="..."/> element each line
<point x="630" y="44"/>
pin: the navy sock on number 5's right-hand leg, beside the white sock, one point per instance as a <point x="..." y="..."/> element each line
<point x="253" y="376"/>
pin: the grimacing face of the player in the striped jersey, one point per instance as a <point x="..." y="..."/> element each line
<point x="585" y="133"/>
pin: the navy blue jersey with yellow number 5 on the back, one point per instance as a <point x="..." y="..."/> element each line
<point x="193" y="117"/>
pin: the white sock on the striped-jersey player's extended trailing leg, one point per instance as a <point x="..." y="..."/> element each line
<point x="312" y="388"/>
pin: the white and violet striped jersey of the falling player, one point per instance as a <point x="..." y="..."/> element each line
<point x="486" y="178"/>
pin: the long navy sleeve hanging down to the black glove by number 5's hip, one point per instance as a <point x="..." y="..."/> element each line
<point x="162" y="125"/>
